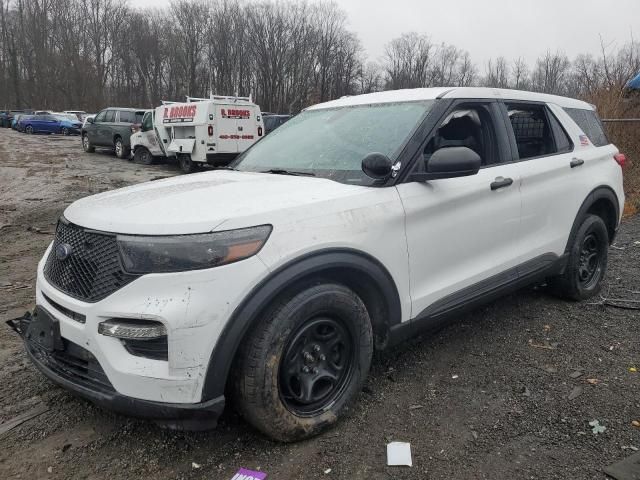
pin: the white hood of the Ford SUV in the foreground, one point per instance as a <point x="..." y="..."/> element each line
<point x="201" y="202"/>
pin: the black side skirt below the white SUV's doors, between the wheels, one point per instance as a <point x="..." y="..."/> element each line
<point x="469" y="298"/>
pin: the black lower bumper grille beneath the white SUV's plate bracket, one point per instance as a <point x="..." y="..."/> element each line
<point x="75" y="364"/>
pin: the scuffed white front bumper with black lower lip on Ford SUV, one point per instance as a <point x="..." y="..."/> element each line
<point x="194" y="308"/>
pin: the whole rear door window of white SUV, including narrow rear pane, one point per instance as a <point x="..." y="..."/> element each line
<point x="537" y="132"/>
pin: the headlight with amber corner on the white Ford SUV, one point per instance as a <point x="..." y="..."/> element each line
<point x="175" y="253"/>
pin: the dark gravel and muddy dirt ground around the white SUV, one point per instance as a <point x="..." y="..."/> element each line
<point x="484" y="398"/>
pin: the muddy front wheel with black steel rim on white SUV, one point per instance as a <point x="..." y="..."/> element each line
<point x="266" y="359"/>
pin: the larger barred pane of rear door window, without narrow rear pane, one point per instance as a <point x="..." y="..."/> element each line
<point x="532" y="130"/>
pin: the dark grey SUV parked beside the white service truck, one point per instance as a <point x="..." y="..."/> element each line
<point x="111" y="127"/>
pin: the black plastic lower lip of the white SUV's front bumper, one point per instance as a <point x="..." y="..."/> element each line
<point x="89" y="382"/>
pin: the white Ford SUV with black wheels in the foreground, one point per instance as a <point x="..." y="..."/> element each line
<point x="348" y="229"/>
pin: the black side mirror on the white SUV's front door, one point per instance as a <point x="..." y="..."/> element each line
<point x="450" y="162"/>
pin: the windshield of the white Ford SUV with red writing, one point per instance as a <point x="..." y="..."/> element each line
<point x="332" y="142"/>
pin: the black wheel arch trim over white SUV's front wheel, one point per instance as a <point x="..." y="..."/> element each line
<point x="276" y="283"/>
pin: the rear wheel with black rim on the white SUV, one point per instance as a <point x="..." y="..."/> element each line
<point x="587" y="262"/>
